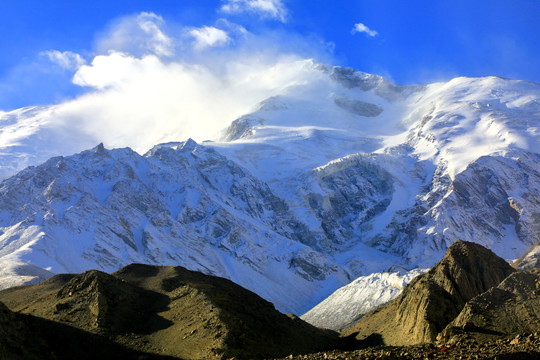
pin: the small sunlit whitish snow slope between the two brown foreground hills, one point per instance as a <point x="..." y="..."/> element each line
<point x="353" y="300"/>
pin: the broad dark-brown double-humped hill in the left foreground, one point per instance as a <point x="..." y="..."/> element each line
<point x="168" y="311"/>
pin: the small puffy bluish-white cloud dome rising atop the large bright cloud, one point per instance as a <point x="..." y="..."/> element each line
<point x="141" y="34"/>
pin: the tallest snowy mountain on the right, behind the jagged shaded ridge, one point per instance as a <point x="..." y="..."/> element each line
<point x="437" y="163"/>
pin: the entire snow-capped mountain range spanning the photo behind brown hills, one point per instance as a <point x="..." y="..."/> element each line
<point x="339" y="175"/>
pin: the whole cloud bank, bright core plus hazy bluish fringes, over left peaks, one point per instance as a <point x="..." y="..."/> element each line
<point x="148" y="84"/>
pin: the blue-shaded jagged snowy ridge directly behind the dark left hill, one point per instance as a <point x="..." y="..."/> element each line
<point x="180" y="204"/>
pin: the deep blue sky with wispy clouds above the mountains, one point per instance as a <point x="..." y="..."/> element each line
<point x="45" y="43"/>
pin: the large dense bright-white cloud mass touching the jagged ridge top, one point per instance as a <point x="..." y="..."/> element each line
<point x="139" y="102"/>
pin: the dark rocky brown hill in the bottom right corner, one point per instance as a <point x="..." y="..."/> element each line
<point x="510" y="309"/>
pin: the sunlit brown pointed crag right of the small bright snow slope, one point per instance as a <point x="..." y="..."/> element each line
<point x="431" y="301"/>
